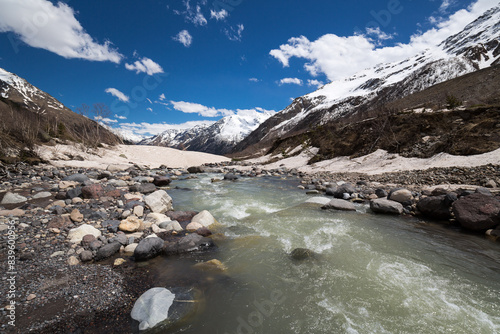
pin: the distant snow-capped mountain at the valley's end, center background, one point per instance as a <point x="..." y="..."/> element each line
<point x="218" y="138"/>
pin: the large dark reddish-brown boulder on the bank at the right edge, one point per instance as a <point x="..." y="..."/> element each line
<point x="477" y="212"/>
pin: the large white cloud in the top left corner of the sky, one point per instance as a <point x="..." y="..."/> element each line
<point x="41" y="24"/>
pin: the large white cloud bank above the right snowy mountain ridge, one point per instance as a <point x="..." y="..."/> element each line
<point x="339" y="57"/>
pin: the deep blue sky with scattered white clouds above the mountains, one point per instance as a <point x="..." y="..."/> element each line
<point x="163" y="64"/>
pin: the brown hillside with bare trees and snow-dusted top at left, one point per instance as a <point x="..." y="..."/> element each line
<point x="31" y="116"/>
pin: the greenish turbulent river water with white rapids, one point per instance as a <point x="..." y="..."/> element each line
<point x="373" y="273"/>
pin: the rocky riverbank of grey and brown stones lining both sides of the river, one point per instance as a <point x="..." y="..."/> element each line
<point x="81" y="233"/>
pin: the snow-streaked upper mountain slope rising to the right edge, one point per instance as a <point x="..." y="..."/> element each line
<point x="476" y="47"/>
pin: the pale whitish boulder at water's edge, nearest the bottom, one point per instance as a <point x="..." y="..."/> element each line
<point x="152" y="307"/>
